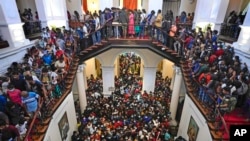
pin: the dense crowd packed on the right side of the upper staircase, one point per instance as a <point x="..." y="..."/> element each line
<point x="222" y="77"/>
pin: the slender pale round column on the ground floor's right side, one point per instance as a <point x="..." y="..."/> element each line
<point x="175" y="94"/>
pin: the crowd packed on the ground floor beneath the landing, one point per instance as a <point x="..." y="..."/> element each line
<point x="129" y="113"/>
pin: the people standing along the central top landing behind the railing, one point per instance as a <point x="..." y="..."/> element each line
<point x="127" y="23"/>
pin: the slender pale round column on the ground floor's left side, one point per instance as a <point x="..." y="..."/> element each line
<point x="80" y="85"/>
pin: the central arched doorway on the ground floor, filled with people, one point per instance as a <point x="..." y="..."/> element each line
<point x="129" y="71"/>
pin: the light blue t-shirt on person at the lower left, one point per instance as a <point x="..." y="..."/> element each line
<point x="31" y="101"/>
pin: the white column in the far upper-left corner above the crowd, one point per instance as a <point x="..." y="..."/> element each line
<point x="11" y="27"/>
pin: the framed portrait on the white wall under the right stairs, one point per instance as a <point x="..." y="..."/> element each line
<point x="193" y="129"/>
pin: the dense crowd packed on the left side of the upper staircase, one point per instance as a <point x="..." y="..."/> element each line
<point x="38" y="76"/>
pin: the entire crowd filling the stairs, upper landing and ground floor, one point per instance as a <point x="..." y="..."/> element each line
<point x="129" y="113"/>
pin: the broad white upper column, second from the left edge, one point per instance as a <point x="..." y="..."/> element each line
<point x="52" y="13"/>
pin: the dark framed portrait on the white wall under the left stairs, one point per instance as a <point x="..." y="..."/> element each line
<point x="64" y="126"/>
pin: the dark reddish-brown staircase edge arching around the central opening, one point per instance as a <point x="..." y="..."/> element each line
<point x="40" y="125"/>
